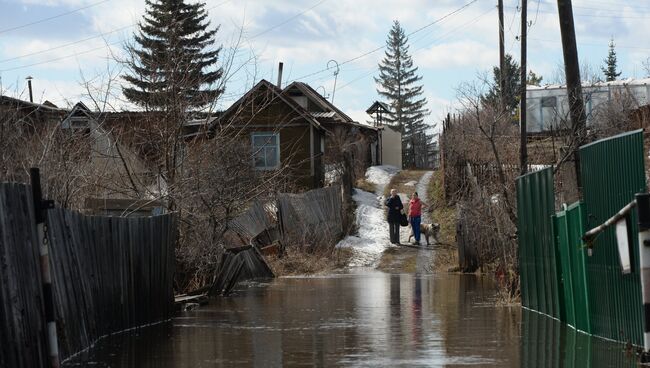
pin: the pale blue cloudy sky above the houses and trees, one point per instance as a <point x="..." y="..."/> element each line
<point x="72" y="48"/>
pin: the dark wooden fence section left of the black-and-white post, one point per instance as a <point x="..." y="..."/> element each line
<point x="22" y="326"/>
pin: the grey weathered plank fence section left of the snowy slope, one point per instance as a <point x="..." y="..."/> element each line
<point x="313" y="217"/>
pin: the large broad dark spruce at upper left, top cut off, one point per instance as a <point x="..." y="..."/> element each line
<point x="173" y="61"/>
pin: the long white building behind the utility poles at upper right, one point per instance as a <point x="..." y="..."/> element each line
<point x="547" y="105"/>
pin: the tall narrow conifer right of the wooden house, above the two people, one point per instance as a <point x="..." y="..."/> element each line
<point x="398" y="84"/>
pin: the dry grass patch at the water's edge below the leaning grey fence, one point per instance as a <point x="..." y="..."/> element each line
<point x="309" y="261"/>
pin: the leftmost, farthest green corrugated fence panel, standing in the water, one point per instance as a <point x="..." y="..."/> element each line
<point x="537" y="251"/>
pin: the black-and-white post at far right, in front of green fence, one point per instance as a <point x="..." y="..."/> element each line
<point x="643" y="208"/>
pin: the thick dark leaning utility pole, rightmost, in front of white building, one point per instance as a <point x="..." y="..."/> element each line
<point x="574" y="86"/>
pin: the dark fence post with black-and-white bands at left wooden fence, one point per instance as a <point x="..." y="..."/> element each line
<point x="40" y="217"/>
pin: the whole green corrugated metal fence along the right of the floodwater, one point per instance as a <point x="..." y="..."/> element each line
<point x="557" y="277"/>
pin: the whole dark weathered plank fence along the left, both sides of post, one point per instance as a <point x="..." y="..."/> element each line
<point x="108" y="274"/>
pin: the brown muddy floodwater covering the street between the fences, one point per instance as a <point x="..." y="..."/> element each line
<point x="365" y="319"/>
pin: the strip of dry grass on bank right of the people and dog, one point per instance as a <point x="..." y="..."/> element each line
<point x="446" y="258"/>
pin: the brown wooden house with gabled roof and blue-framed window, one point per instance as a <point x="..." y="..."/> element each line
<point x="296" y="130"/>
